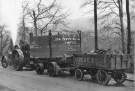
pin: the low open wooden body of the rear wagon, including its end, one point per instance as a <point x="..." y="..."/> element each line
<point x="102" y="61"/>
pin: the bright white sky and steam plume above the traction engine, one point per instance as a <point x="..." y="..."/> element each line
<point x="9" y="15"/>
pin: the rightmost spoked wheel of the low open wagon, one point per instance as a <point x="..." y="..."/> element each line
<point x="119" y="77"/>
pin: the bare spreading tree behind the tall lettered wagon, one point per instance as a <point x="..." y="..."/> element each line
<point x="42" y="16"/>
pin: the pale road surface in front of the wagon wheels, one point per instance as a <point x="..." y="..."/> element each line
<point x="29" y="81"/>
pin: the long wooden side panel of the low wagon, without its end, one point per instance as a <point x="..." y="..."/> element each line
<point x="96" y="61"/>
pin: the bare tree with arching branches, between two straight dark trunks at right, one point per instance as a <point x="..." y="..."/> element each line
<point x="108" y="13"/>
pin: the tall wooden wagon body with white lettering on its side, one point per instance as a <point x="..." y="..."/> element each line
<point x="55" y="44"/>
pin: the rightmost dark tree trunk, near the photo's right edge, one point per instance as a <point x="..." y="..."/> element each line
<point x="128" y="28"/>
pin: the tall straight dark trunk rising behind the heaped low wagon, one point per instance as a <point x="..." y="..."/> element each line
<point x="95" y="21"/>
